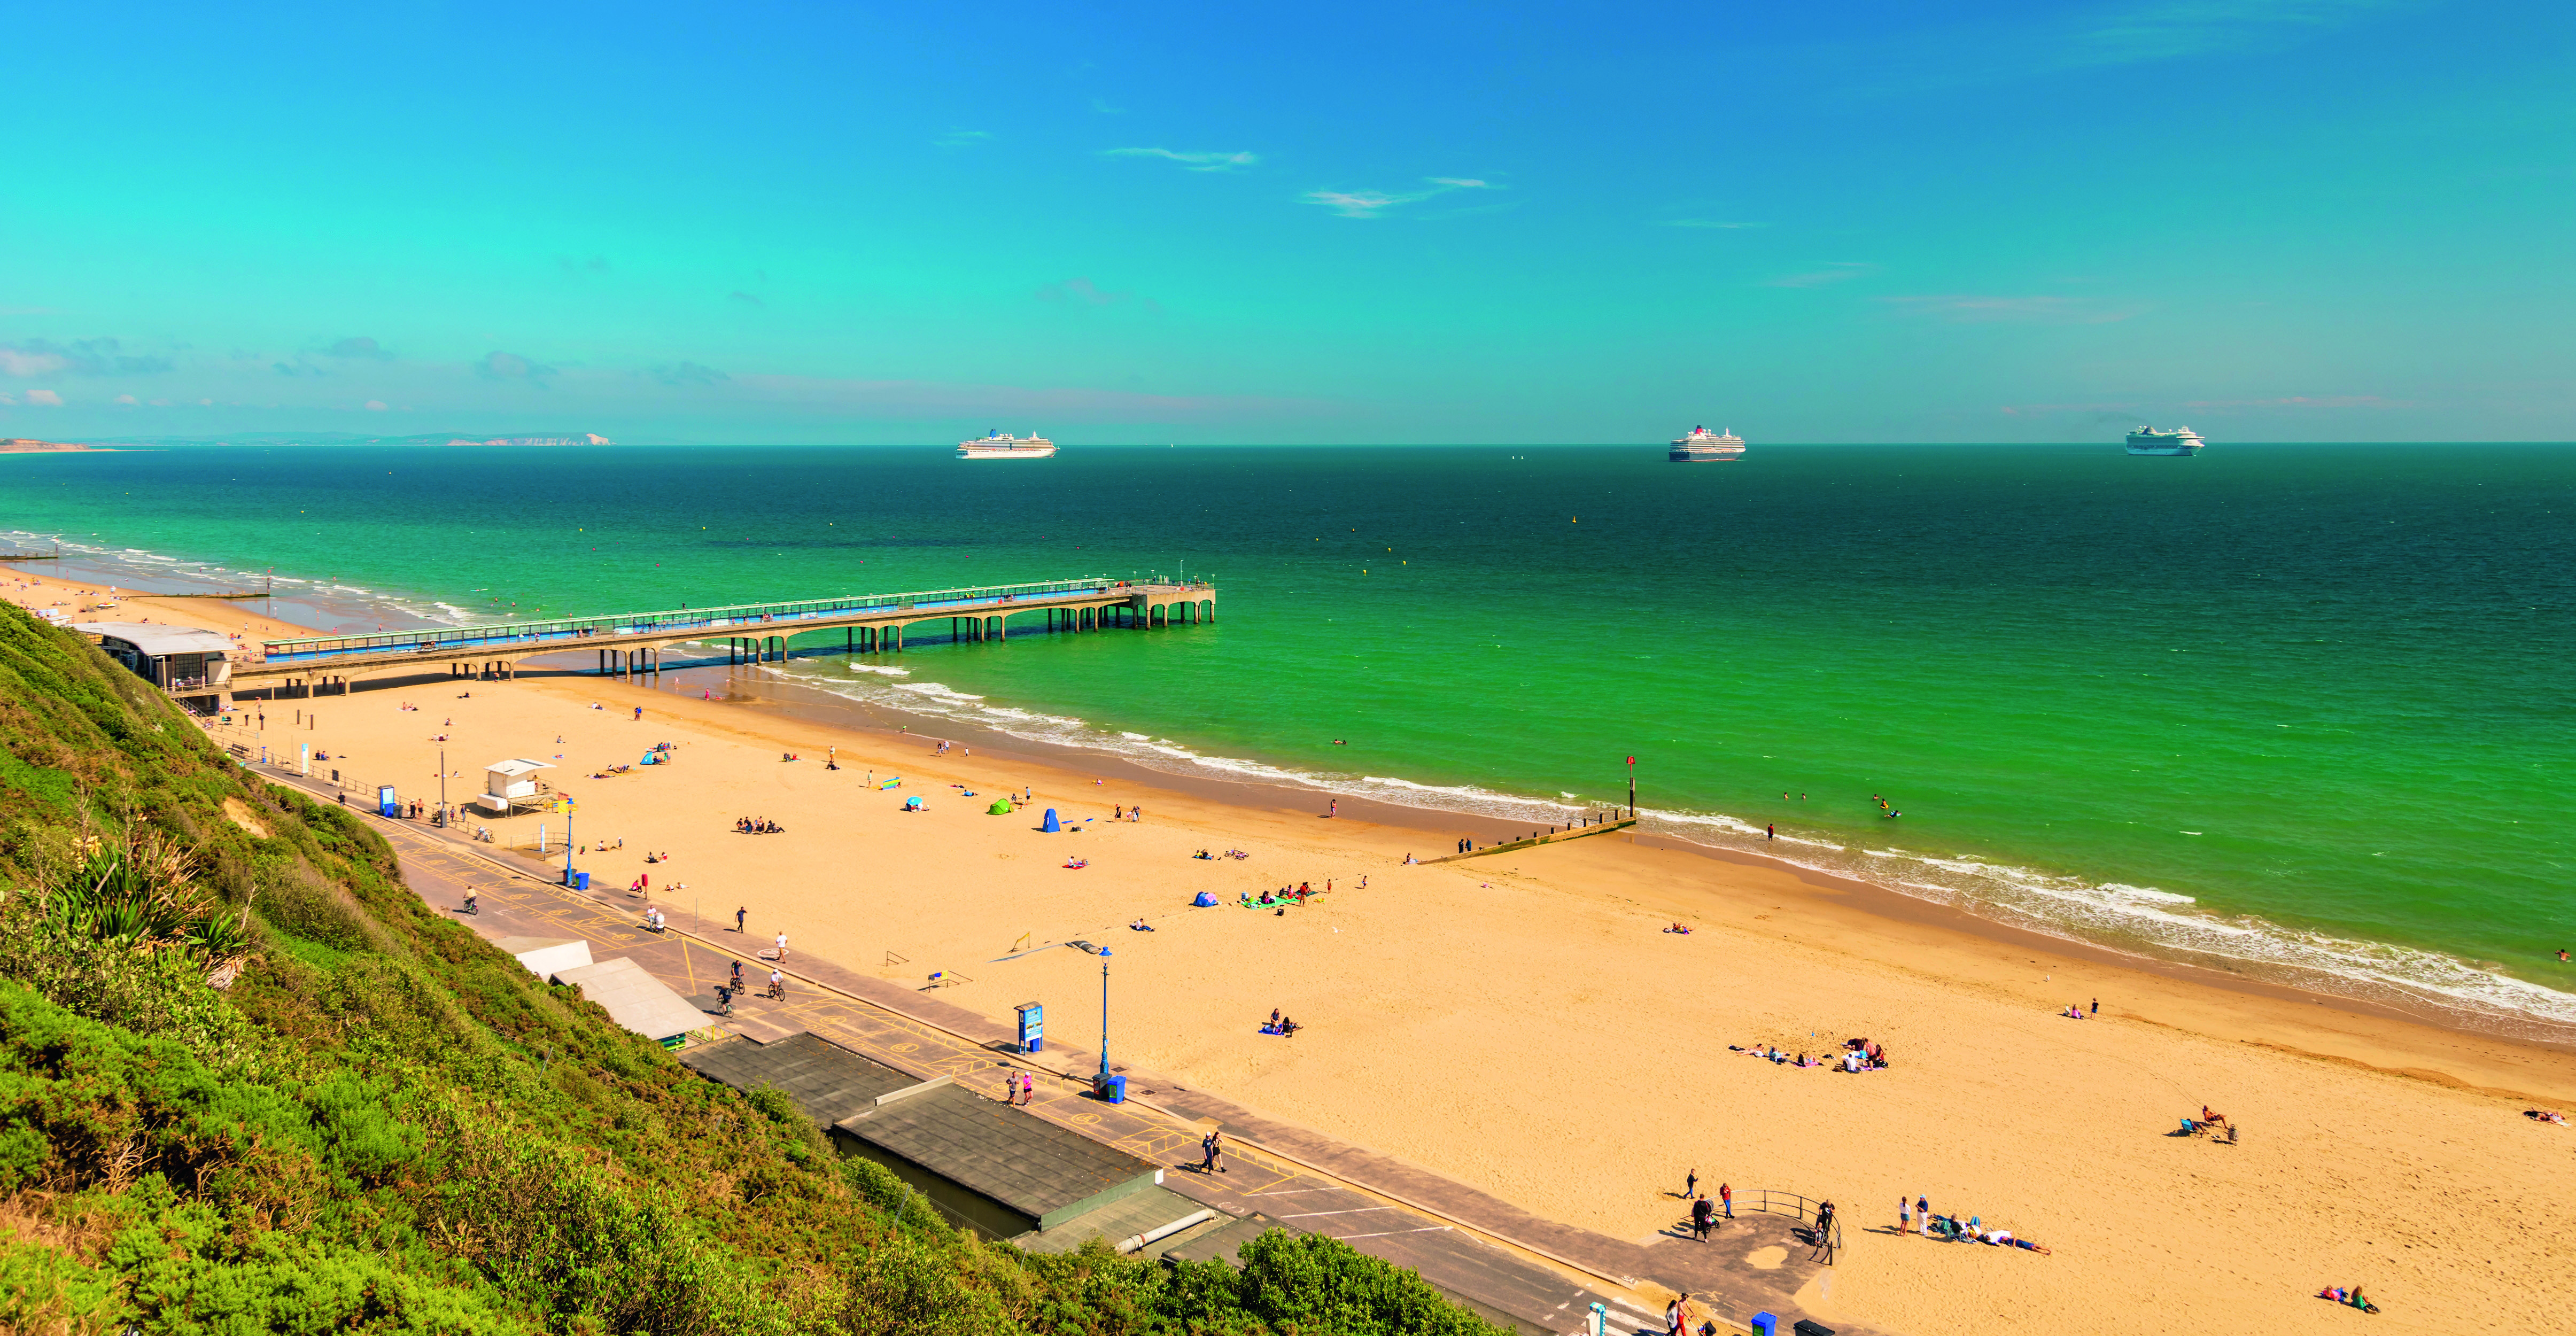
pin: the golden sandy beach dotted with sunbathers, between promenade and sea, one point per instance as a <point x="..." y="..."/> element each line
<point x="1526" y="1023"/>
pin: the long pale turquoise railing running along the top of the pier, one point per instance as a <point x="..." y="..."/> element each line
<point x="748" y="617"/>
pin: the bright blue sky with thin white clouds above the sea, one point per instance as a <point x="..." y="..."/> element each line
<point x="2273" y="220"/>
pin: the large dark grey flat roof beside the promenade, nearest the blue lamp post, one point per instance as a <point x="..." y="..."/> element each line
<point x="1016" y="1167"/>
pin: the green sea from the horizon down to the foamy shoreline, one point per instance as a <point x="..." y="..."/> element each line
<point x="2278" y="707"/>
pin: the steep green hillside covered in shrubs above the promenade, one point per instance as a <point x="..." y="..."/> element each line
<point x="249" y="1082"/>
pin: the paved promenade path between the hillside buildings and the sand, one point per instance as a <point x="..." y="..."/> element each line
<point x="1511" y="1265"/>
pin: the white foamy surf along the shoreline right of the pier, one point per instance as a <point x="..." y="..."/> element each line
<point x="2139" y="920"/>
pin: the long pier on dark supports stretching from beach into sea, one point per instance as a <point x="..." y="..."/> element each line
<point x="632" y="645"/>
